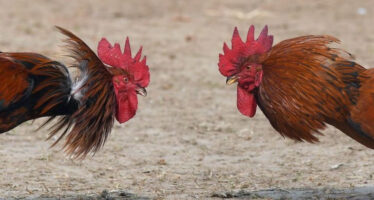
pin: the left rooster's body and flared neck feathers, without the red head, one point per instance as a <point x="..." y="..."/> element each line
<point x="34" y="86"/>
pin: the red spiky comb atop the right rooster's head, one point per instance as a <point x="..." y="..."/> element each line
<point x="228" y="62"/>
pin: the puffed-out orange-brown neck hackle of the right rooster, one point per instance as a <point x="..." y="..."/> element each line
<point x="303" y="80"/>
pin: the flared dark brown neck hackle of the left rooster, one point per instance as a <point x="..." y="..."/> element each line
<point x="88" y="127"/>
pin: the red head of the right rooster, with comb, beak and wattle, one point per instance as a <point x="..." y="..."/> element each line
<point x="243" y="64"/>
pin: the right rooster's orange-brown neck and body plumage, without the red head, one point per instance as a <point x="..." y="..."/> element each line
<point x="307" y="84"/>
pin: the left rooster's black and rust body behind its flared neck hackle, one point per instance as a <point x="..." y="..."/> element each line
<point x="40" y="87"/>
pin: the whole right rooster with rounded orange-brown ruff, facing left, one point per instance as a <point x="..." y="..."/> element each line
<point x="301" y="84"/>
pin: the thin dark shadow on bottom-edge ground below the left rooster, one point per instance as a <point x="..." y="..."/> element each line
<point x="105" y="195"/>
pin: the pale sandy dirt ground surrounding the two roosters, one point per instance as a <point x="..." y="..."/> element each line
<point x="187" y="141"/>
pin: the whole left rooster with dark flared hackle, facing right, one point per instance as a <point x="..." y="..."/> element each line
<point x="34" y="86"/>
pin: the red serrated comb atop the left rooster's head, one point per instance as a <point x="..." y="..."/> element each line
<point x="112" y="55"/>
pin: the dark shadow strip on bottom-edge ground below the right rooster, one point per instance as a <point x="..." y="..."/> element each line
<point x="357" y="193"/>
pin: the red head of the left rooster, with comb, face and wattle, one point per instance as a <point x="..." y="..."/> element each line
<point x="130" y="76"/>
